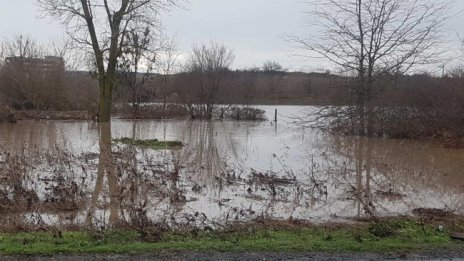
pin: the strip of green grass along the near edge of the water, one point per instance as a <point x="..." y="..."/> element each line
<point x="402" y="236"/>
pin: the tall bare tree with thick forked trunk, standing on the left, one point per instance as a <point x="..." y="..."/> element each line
<point x="103" y="26"/>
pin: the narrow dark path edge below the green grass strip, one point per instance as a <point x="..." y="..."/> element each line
<point x="244" y="256"/>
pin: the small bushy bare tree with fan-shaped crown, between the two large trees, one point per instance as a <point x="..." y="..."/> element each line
<point x="208" y="66"/>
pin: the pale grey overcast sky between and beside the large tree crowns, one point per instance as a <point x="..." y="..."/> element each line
<point x="254" y="29"/>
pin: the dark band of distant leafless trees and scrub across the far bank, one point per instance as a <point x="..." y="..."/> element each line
<point x="78" y="90"/>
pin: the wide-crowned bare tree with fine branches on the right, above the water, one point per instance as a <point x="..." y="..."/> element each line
<point x="370" y="40"/>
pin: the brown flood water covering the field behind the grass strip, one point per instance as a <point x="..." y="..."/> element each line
<point x="226" y="171"/>
